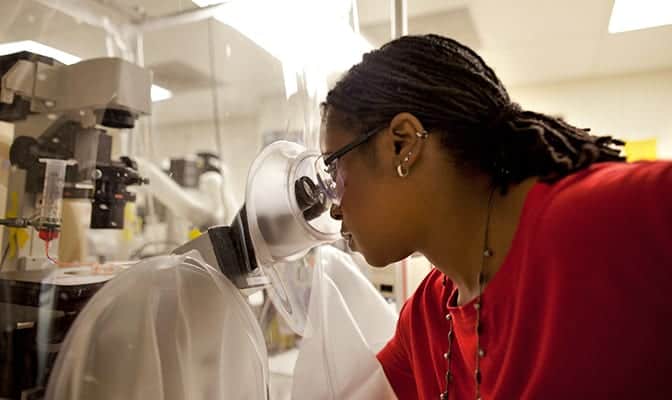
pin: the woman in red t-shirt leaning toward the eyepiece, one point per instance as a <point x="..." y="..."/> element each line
<point x="552" y="276"/>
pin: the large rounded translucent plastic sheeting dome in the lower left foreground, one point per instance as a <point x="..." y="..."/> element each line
<point x="169" y="328"/>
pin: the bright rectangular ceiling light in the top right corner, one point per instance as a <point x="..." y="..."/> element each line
<point x="630" y="15"/>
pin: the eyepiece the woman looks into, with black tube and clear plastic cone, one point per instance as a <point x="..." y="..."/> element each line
<point x="285" y="215"/>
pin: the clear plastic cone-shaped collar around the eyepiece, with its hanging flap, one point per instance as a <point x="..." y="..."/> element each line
<point x="283" y="230"/>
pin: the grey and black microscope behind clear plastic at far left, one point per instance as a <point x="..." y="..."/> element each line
<point x="57" y="111"/>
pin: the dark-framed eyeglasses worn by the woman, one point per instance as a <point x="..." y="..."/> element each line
<point x="327" y="168"/>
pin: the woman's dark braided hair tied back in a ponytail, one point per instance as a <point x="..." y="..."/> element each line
<point x="451" y="90"/>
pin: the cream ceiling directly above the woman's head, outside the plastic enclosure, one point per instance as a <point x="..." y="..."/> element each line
<point x="533" y="41"/>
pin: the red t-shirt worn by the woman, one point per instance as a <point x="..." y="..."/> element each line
<point x="580" y="308"/>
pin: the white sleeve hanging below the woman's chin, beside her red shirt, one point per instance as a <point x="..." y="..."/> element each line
<point x="348" y="323"/>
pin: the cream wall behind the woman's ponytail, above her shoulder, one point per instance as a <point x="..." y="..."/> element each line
<point x="630" y="107"/>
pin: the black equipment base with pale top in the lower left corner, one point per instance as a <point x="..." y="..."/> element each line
<point x="36" y="310"/>
